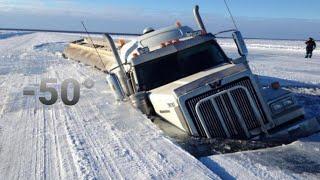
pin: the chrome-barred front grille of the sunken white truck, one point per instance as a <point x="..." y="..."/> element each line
<point x="230" y="114"/>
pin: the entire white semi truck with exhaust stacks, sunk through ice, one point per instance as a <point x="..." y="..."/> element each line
<point x="184" y="77"/>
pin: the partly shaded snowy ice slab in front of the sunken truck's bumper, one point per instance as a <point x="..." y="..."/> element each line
<point x="299" y="160"/>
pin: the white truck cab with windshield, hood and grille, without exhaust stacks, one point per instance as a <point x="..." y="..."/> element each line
<point x="191" y="83"/>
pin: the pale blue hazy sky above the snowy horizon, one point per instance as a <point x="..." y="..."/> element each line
<point x="278" y="19"/>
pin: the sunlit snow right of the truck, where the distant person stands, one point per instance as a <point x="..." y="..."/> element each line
<point x="280" y="59"/>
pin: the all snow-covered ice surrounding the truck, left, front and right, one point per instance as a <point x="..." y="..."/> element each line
<point x="100" y="139"/>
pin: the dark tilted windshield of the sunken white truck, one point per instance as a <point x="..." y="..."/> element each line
<point x="166" y="69"/>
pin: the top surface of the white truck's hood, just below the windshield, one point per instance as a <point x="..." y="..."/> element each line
<point x="189" y="83"/>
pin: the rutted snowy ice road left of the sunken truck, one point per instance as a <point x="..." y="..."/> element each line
<point x="94" y="139"/>
